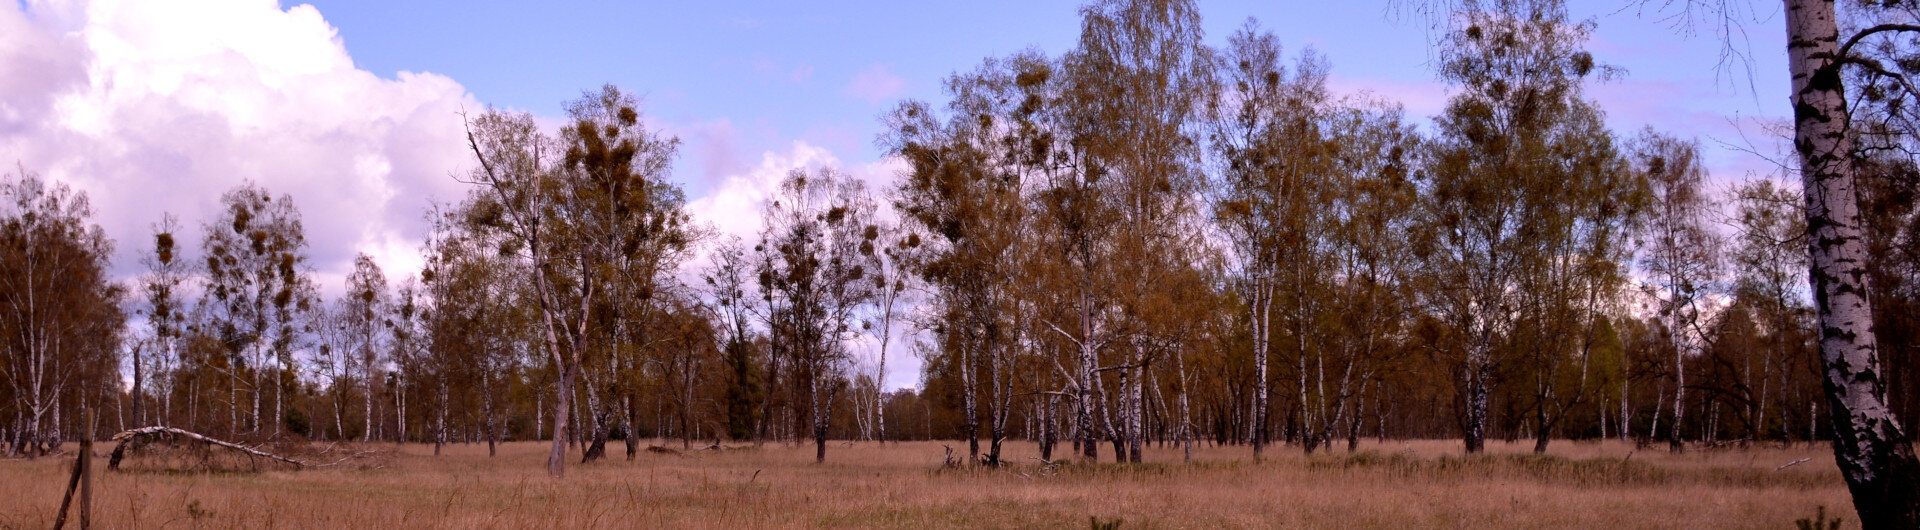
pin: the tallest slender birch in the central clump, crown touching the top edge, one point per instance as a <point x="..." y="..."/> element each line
<point x="1134" y="89"/>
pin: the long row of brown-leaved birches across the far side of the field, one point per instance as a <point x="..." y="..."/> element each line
<point x="1141" y="241"/>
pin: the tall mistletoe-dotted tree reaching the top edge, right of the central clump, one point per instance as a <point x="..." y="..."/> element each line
<point x="1495" y="183"/>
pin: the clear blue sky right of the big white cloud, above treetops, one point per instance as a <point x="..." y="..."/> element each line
<point x="823" y="72"/>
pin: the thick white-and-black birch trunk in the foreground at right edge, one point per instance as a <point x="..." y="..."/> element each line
<point x="1869" y="445"/>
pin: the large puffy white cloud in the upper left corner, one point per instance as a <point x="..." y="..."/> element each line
<point x="162" y="107"/>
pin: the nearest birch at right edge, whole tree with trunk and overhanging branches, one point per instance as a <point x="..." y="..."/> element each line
<point x="1871" y="446"/>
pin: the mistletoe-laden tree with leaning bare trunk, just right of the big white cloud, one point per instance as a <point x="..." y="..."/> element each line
<point x="600" y="220"/>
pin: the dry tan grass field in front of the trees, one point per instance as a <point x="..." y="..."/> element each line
<point x="1397" y="485"/>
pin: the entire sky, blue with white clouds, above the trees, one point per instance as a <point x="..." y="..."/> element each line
<point x="354" y="108"/>
